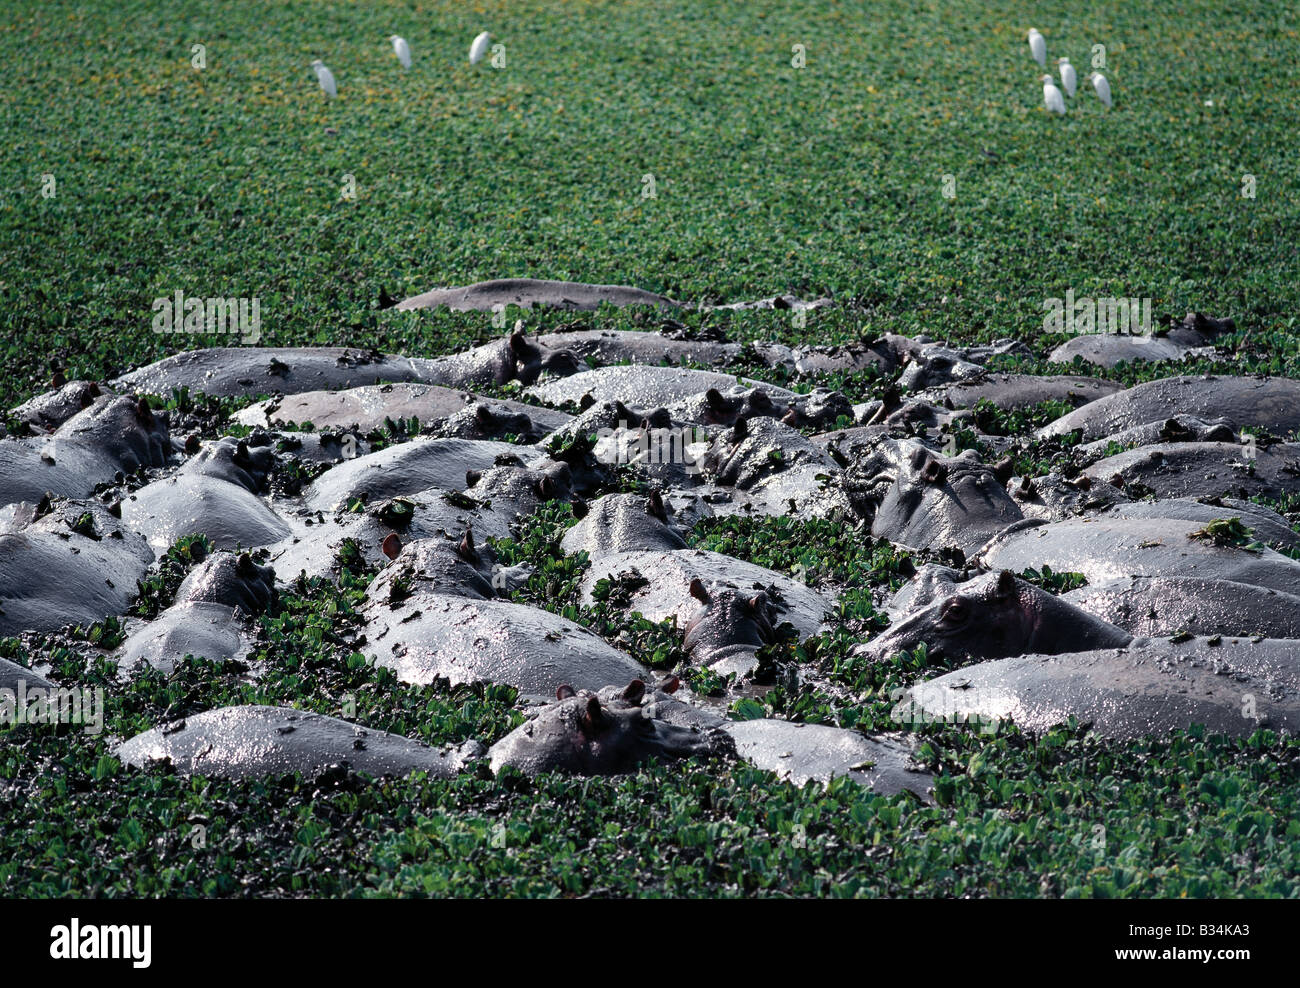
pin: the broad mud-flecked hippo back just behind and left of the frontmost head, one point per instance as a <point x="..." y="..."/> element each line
<point x="424" y="635"/>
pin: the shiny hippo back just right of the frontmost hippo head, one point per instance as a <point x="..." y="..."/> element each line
<point x="805" y="753"/>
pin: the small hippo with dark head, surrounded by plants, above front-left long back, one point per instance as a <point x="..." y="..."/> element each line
<point x="209" y="618"/>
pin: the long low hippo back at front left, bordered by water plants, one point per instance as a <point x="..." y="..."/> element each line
<point x="254" y="742"/>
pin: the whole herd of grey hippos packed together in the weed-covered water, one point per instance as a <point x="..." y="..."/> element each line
<point x="1190" y="614"/>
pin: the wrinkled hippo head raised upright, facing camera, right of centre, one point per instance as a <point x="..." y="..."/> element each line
<point x="938" y="502"/>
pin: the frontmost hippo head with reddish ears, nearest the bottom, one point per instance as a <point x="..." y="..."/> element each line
<point x="583" y="735"/>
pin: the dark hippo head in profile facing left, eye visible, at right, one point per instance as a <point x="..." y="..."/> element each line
<point x="995" y="617"/>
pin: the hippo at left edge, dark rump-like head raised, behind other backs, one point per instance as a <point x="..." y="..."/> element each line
<point x="114" y="435"/>
